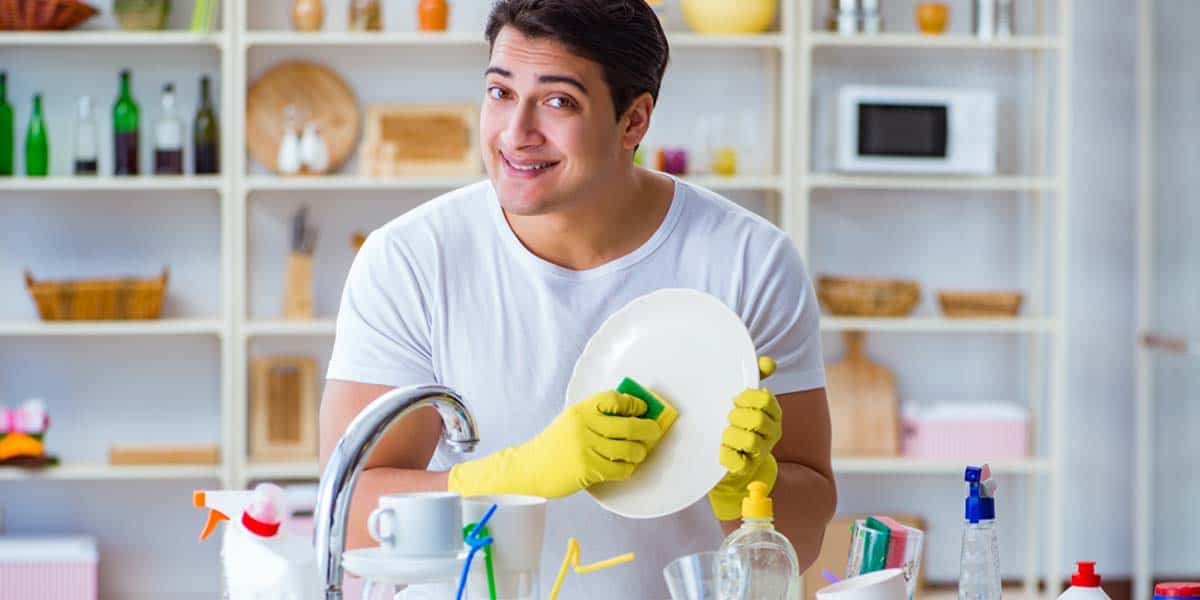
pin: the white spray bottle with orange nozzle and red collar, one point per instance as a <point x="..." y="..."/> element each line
<point x="260" y="557"/>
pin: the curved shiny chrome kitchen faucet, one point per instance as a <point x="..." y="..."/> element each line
<point x="341" y="473"/>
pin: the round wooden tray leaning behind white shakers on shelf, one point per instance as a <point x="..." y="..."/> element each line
<point x="319" y="95"/>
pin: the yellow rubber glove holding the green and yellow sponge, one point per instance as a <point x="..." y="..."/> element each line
<point x="598" y="440"/>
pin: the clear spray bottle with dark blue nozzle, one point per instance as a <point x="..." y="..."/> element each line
<point x="980" y="565"/>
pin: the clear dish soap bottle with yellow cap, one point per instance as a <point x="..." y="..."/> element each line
<point x="757" y="561"/>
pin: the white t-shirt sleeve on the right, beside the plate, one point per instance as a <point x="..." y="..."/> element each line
<point x="785" y="320"/>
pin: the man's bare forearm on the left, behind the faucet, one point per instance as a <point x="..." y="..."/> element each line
<point x="397" y="465"/>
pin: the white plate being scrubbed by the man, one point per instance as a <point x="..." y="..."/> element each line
<point x="694" y="352"/>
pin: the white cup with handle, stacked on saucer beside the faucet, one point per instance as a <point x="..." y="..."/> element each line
<point x="423" y="525"/>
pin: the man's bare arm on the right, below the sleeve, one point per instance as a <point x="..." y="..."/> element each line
<point x="806" y="495"/>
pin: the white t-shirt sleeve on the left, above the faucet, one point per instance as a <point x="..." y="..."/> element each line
<point x="383" y="323"/>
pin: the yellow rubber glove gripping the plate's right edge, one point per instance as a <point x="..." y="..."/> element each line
<point x="757" y="423"/>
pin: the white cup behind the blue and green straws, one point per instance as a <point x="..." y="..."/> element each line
<point x="518" y="529"/>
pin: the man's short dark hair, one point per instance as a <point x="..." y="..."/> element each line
<point x="625" y="37"/>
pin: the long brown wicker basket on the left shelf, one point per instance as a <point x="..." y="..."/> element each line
<point x="98" y="299"/>
